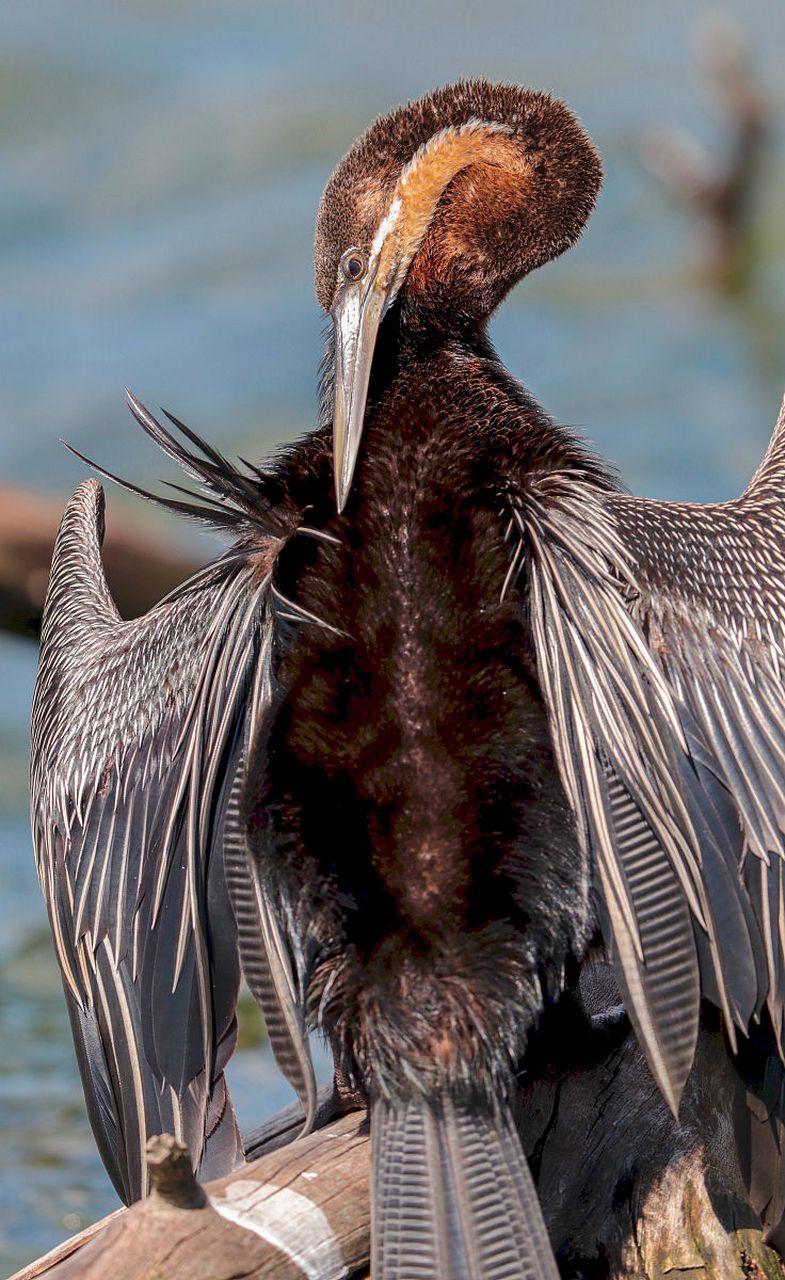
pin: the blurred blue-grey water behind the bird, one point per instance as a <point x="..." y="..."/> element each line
<point x="161" y="164"/>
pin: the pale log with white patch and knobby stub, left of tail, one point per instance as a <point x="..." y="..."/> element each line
<point x="302" y="1210"/>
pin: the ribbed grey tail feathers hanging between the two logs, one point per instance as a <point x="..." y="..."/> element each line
<point x="453" y="1197"/>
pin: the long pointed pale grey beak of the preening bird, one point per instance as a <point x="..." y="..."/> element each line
<point x="357" y="318"/>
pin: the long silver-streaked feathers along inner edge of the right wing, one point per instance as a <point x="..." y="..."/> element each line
<point x="613" y="715"/>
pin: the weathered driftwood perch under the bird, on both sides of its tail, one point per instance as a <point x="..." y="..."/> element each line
<point x="627" y="1191"/>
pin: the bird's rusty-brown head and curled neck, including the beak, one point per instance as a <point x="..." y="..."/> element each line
<point x="440" y="209"/>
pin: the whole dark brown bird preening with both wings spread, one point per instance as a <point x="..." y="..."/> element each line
<point x="450" y="714"/>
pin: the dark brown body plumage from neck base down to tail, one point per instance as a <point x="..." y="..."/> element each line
<point x="407" y="792"/>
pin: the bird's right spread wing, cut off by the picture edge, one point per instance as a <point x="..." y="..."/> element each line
<point x="660" y="632"/>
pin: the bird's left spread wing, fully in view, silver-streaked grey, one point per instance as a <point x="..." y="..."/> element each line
<point x="138" y="765"/>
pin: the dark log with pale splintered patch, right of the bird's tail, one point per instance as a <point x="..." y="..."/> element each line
<point x="628" y="1192"/>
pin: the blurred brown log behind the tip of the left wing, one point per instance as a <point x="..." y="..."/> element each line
<point x="139" y="570"/>
